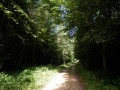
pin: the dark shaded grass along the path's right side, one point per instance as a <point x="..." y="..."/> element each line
<point x="93" y="80"/>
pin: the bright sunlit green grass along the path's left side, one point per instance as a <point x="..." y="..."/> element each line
<point x="29" y="79"/>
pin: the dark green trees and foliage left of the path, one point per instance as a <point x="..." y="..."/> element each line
<point x="26" y="39"/>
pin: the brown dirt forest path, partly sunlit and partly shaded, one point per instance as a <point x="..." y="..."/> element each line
<point x="65" y="80"/>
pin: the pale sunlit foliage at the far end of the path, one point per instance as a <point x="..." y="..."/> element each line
<point x="65" y="43"/>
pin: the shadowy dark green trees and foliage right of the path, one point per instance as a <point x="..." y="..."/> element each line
<point x="98" y="34"/>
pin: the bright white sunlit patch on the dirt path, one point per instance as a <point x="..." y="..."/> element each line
<point x="57" y="81"/>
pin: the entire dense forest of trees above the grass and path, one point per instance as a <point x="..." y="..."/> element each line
<point x="41" y="32"/>
